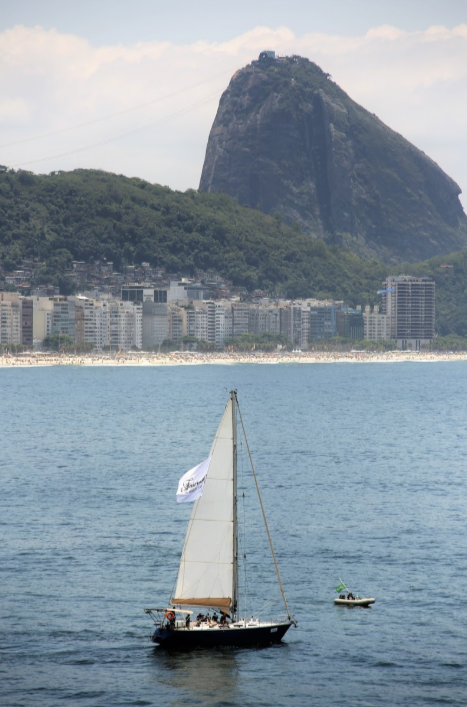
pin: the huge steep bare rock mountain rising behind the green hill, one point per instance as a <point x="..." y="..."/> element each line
<point x="287" y="139"/>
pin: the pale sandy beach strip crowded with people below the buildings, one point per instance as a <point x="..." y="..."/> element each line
<point x="193" y="359"/>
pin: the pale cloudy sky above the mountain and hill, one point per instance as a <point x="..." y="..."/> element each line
<point x="132" y="87"/>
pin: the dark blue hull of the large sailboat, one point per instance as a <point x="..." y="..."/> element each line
<point x="183" y="639"/>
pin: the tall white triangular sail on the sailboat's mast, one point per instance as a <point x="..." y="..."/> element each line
<point x="206" y="568"/>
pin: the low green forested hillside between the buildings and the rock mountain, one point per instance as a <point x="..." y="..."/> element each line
<point x="88" y="214"/>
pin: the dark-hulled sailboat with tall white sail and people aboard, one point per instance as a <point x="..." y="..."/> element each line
<point x="208" y="574"/>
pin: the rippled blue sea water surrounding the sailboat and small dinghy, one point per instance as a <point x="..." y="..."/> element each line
<point x="363" y="473"/>
